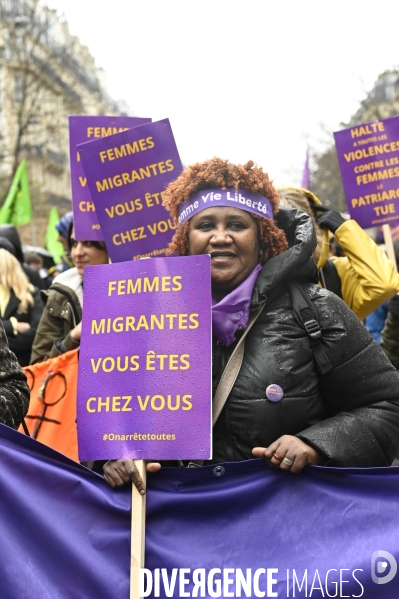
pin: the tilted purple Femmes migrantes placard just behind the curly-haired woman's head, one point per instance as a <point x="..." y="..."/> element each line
<point x="127" y="176"/>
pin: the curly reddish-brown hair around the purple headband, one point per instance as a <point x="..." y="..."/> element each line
<point x="223" y="174"/>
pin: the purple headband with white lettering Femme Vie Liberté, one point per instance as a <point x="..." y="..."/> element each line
<point x="240" y="198"/>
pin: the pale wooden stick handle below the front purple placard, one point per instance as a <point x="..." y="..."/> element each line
<point x="137" y="543"/>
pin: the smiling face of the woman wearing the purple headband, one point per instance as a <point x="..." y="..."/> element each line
<point x="231" y="237"/>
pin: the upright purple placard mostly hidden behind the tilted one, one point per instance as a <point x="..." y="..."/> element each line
<point x="81" y="129"/>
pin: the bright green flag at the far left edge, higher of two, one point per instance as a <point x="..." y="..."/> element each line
<point x="17" y="208"/>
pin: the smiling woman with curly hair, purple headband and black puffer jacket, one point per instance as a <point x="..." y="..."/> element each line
<point x="310" y="382"/>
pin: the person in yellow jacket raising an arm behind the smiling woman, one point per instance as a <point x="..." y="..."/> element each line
<point x="365" y="278"/>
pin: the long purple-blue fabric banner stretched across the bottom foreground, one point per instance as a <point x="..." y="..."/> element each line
<point x="237" y="529"/>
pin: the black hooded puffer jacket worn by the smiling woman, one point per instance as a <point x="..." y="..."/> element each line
<point x="351" y="414"/>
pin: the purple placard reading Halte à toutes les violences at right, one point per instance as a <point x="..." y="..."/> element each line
<point x="368" y="157"/>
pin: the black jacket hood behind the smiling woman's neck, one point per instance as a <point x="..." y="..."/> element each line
<point x="296" y="263"/>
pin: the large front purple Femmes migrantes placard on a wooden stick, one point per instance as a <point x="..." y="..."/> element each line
<point x="144" y="386"/>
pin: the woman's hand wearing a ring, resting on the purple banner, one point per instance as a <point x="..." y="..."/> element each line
<point x="292" y="450"/>
